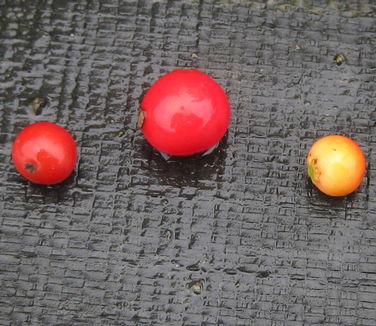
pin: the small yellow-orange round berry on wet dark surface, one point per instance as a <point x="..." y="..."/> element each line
<point x="336" y="165"/>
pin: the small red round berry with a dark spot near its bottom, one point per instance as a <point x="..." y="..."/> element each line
<point x="44" y="153"/>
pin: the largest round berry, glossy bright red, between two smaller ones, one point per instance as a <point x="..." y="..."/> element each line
<point x="185" y="112"/>
